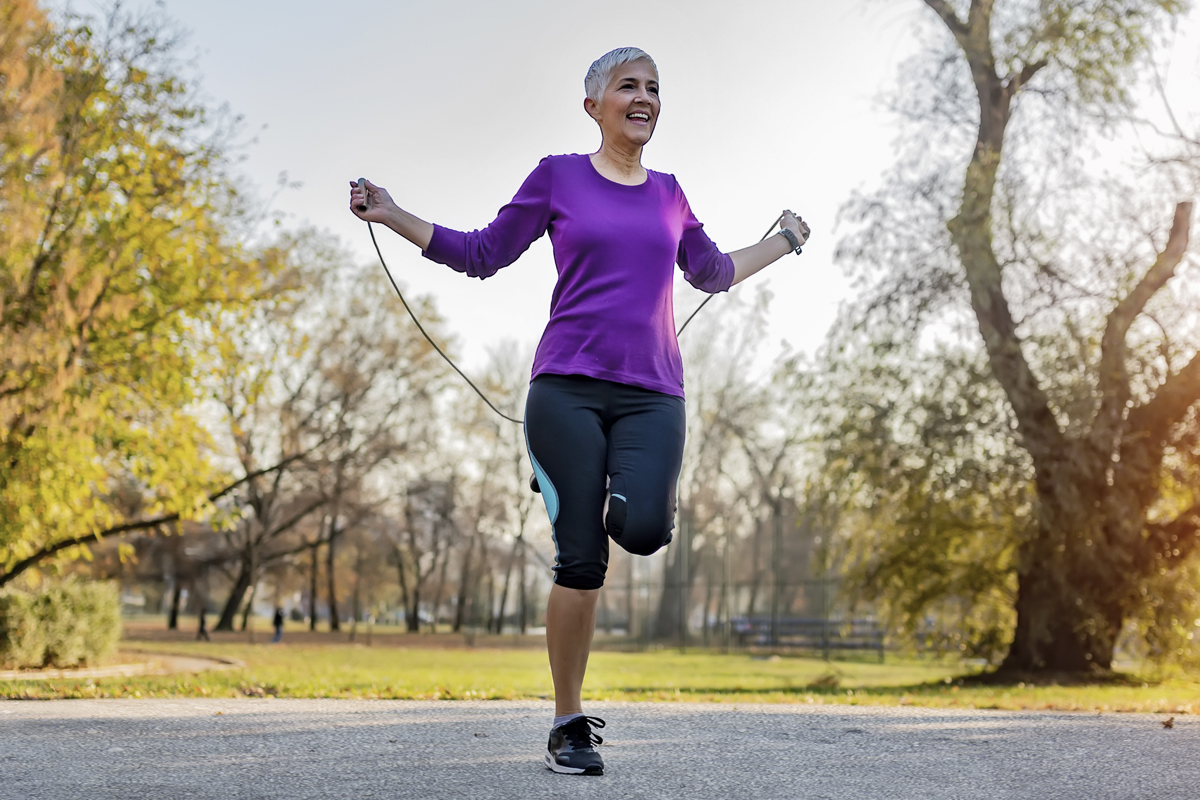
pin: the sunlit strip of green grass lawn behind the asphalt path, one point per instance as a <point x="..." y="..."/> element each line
<point x="353" y="671"/>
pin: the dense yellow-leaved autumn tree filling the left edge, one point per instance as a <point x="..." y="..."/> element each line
<point x="119" y="245"/>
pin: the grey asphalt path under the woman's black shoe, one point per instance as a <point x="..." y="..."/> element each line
<point x="362" y="750"/>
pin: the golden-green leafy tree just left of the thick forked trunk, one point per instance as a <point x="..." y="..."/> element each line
<point x="922" y="472"/>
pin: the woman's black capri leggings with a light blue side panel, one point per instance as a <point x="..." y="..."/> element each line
<point x="580" y="432"/>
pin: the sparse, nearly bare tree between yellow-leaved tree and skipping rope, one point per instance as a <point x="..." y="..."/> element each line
<point x="331" y="386"/>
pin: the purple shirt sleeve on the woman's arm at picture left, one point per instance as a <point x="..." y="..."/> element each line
<point x="521" y="222"/>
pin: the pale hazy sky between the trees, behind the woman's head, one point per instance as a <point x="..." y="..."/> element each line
<point x="449" y="105"/>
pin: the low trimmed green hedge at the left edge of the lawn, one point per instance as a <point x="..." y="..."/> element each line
<point x="61" y="625"/>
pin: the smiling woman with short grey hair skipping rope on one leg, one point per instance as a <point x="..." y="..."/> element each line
<point x="605" y="411"/>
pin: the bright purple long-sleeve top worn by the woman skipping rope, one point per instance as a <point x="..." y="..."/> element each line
<point x="616" y="246"/>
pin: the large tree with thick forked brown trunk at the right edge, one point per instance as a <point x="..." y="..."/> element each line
<point x="1078" y="322"/>
